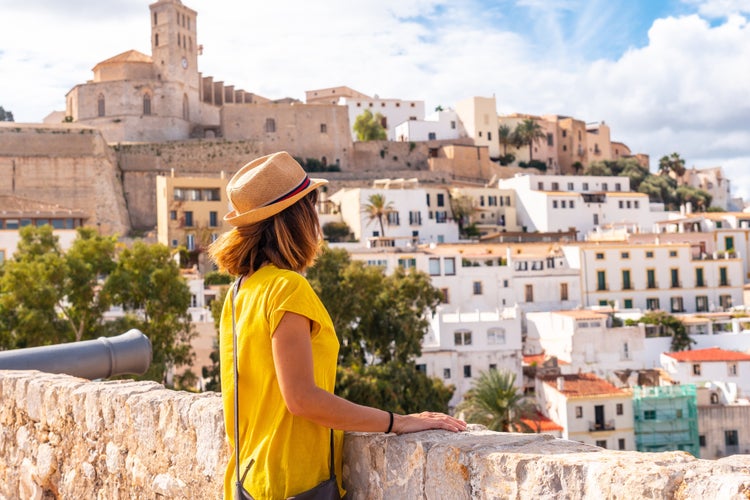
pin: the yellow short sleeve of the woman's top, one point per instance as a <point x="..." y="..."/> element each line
<point x="291" y="292"/>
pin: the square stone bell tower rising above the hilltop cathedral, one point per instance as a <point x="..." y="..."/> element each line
<point x="174" y="42"/>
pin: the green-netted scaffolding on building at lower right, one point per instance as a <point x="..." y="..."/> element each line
<point x="666" y="418"/>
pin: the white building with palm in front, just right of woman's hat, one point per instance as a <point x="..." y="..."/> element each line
<point x="416" y="214"/>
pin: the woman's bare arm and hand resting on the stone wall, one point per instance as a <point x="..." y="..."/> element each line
<point x="292" y="354"/>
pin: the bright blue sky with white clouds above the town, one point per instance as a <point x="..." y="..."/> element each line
<point x="666" y="75"/>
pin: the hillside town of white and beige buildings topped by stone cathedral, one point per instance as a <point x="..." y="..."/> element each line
<point x="547" y="265"/>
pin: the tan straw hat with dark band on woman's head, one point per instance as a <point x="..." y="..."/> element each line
<point x="265" y="187"/>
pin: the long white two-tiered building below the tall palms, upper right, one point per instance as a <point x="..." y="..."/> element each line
<point x="550" y="203"/>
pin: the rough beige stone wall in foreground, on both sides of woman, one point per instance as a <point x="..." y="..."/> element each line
<point x="65" y="437"/>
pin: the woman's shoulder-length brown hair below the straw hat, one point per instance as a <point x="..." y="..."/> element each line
<point x="289" y="240"/>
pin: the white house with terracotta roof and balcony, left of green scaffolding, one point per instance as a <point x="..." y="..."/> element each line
<point x="590" y="409"/>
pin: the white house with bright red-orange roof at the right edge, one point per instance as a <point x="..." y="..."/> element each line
<point x="699" y="366"/>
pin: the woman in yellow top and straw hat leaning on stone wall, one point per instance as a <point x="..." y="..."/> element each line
<point x="287" y="348"/>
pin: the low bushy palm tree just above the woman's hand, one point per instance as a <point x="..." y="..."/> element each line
<point x="494" y="401"/>
